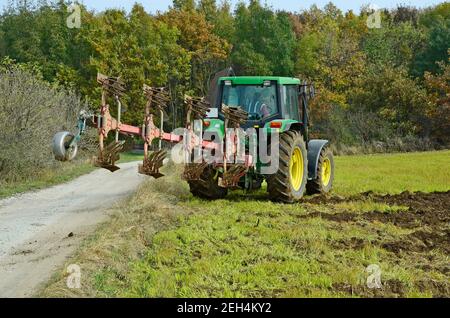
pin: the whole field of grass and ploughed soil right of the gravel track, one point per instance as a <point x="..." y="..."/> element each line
<point x="162" y="242"/>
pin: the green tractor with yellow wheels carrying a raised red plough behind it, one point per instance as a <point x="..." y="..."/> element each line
<point x="276" y="107"/>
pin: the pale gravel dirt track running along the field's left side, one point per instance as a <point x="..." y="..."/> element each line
<point x="40" y="230"/>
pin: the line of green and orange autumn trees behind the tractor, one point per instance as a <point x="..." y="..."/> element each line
<point x="383" y="88"/>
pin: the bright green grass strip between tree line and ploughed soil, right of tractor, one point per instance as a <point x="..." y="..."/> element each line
<point x="393" y="173"/>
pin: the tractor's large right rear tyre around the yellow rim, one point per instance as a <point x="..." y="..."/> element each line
<point x="280" y="185"/>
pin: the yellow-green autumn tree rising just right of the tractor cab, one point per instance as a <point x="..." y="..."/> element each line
<point x="329" y="55"/>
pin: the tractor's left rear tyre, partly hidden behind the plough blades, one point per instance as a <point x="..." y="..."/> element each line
<point x="208" y="187"/>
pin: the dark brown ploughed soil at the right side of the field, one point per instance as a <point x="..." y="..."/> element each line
<point x="425" y="216"/>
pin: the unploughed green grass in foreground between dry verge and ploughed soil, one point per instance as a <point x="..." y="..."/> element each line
<point x="239" y="248"/>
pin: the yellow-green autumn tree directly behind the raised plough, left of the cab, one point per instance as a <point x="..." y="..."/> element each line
<point x="138" y="48"/>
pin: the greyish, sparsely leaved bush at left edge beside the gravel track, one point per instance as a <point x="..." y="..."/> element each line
<point x="31" y="112"/>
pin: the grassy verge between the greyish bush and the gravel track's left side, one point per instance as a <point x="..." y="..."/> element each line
<point x="59" y="173"/>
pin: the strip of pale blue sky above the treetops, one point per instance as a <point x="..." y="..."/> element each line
<point x="290" y="5"/>
